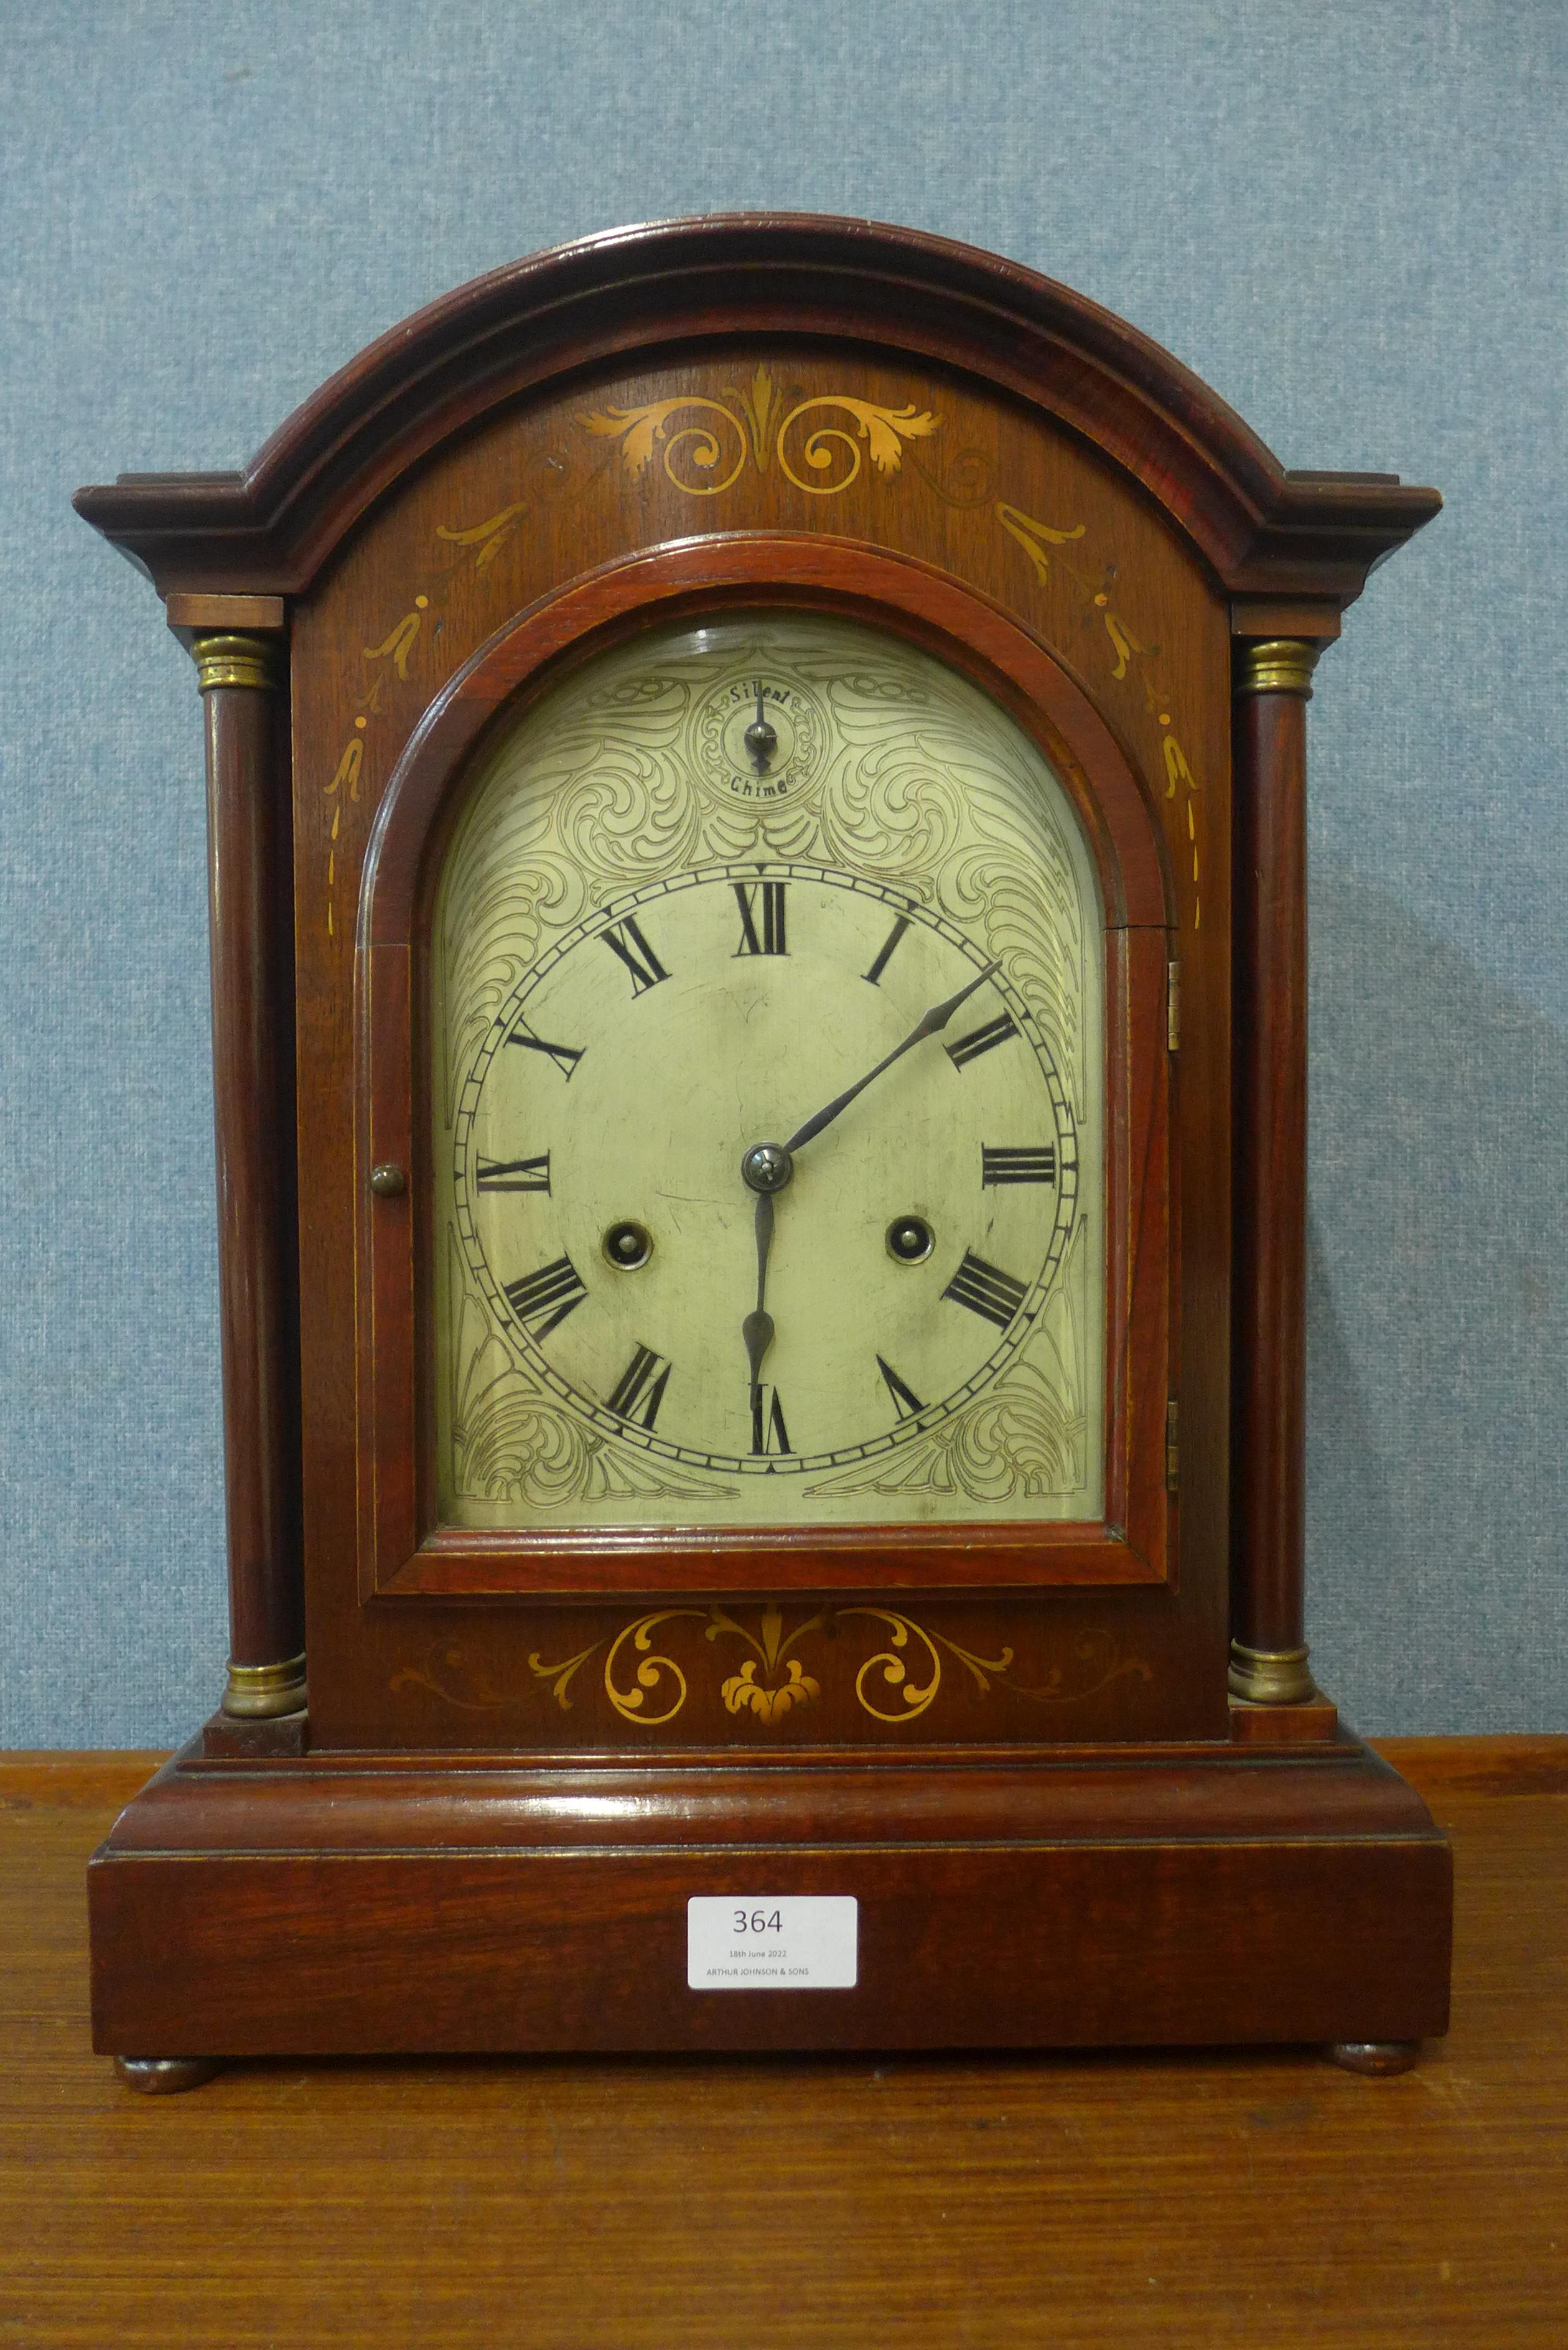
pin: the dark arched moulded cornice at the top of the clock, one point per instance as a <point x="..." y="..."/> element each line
<point x="678" y="288"/>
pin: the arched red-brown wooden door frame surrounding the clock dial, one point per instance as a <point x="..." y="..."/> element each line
<point x="403" y="1547"/>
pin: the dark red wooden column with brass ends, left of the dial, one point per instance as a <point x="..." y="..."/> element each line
<point x="253" y="1066"/>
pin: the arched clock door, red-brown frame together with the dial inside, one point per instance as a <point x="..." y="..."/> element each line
<point x="768" y="1117"/>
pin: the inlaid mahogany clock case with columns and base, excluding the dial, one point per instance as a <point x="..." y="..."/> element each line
<point x="525" y="1752"/>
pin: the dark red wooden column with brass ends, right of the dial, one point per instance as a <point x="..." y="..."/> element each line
<point x="1268" y="1653"/>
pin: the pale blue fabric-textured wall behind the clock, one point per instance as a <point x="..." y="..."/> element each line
<point x="1348" y="217"/>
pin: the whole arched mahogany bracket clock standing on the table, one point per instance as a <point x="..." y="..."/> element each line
<point x="758" y="953"/>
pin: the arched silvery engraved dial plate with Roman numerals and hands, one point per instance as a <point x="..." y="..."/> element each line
<point x="768" y="1129"/>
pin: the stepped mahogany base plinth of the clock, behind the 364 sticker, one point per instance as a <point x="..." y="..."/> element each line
<point x="1073" y="1898"/>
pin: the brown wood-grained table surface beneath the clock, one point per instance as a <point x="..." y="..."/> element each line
<point x="1181" y="2201"/>
